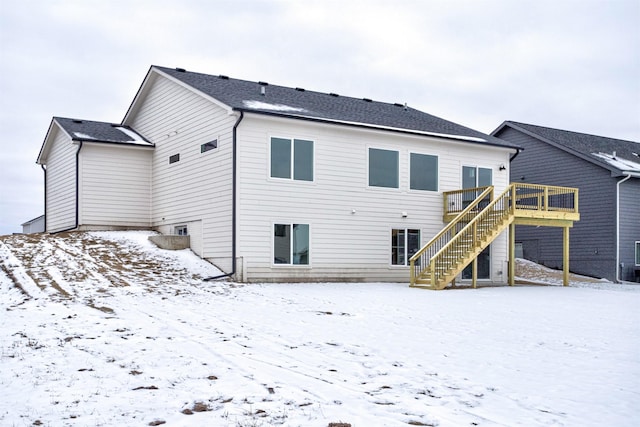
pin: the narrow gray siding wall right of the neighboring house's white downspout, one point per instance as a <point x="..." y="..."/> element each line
<point x="629" y="226"/>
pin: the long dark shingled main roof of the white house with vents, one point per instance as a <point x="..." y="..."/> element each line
<point x="242" y="95"/>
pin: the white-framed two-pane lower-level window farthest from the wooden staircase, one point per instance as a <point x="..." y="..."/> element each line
<point x="291" y="244"/>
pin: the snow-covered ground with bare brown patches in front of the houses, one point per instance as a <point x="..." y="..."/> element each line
<point x="109" y="331"/>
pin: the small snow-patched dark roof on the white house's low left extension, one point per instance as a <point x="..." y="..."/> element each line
<point x="88" y="130"/>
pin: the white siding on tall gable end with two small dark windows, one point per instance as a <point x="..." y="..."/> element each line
<point x="199" y="186"/>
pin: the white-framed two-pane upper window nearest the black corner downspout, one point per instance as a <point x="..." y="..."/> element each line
<point x="292" y="159"/>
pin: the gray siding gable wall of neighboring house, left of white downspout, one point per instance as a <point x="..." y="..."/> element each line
<point x="593" y="238"/>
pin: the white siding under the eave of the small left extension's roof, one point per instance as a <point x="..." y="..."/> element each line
<point x="115" y="185"/>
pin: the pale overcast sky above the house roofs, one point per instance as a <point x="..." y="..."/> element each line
<point x="569" y="64"/>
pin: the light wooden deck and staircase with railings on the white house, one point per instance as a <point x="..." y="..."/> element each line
<point x="481" y="221"/>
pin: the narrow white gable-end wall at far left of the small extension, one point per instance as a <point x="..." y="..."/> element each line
<point x="61" y="183"/>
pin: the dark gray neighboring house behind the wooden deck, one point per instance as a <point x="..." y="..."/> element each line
<point x="606" y="241"/>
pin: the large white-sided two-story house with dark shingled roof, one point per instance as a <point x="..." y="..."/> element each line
<point x="274" y="183"/>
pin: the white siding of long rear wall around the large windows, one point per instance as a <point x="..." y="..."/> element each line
<point x="344" y="245"/>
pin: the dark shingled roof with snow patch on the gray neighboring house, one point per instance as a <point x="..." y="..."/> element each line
<point x="584" y="145"/>
